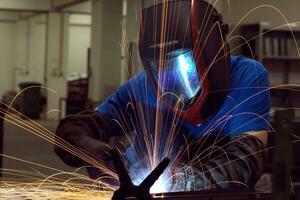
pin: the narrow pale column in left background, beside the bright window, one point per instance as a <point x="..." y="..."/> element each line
<point x="55" y="60"/>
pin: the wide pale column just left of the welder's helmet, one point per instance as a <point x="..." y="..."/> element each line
<point x="105" y="74"/>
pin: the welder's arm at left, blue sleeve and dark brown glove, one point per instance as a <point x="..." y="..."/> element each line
<point x="94" y="132"/>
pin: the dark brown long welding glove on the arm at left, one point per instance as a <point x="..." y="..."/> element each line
<point x="88" y="132"/>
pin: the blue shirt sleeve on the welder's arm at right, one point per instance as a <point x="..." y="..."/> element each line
<point x="251" y="95"/>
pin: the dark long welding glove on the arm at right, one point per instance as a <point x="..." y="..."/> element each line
<point x="239" y="164"/>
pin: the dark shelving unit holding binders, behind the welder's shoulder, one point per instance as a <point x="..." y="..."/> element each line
<point x="276" y="47"/>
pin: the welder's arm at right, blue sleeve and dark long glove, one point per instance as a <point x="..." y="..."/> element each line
<point x="241" y="161"/>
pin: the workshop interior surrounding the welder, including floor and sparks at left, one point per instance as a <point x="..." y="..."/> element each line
<point x="61" y="57"/>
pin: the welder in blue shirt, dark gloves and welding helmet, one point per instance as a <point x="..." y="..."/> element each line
<point x="211" y="105"/>
